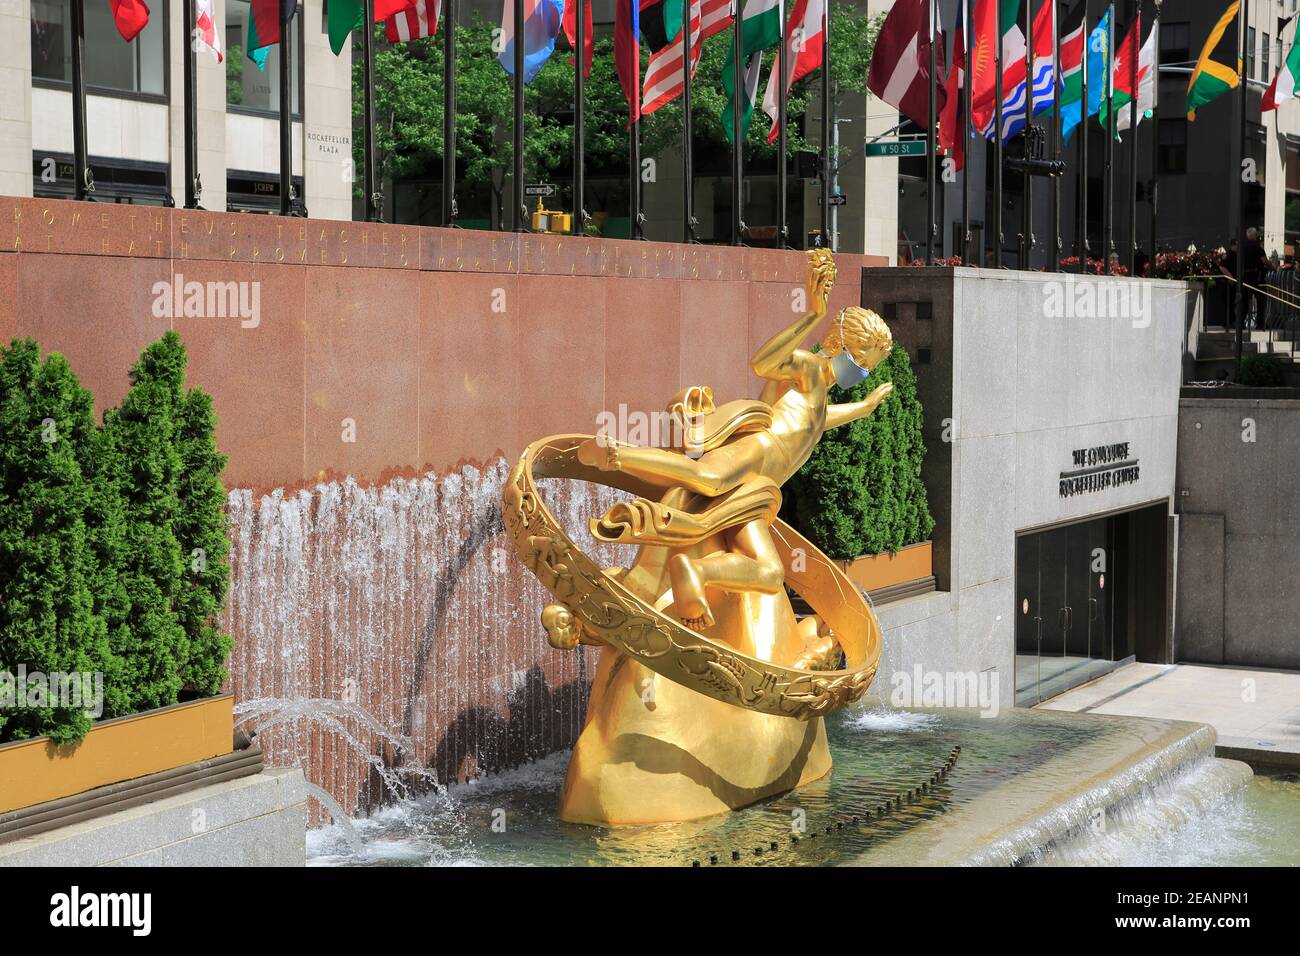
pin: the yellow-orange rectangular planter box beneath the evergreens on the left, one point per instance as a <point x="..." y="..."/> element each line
<point x="33" y="772"/>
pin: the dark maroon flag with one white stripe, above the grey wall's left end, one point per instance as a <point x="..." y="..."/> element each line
<point x="900" y="66"/>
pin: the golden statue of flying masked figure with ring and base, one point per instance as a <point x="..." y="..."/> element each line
<point x="709" y="695"/>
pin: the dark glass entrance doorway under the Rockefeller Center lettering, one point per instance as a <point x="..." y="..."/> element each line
<point x="1090" y="595"/>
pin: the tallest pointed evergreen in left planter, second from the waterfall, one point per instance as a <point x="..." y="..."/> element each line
<point x="142" y="442"/>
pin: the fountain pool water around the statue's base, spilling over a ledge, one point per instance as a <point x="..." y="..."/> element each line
<point x="1029" y="788"/>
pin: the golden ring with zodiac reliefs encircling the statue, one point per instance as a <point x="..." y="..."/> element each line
<point x="606" y="612"/>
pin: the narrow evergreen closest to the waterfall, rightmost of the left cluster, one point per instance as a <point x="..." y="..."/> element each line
<point x="201" y="530"/>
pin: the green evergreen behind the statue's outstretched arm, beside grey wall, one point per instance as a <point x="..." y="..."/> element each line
<point x="861" y="491"/>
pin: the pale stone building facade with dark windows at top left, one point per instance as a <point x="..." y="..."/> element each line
<point x="136" y="110"/>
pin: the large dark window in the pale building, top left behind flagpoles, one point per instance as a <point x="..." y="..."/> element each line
<point x="111" y="63"/>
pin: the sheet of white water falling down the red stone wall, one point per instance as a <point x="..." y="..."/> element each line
<point x="388" y="638"/>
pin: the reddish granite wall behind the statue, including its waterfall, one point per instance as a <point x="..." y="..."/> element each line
<point x="371" y="406"/>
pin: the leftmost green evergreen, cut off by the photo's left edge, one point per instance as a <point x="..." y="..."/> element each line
<point x="47" y="616"/>
